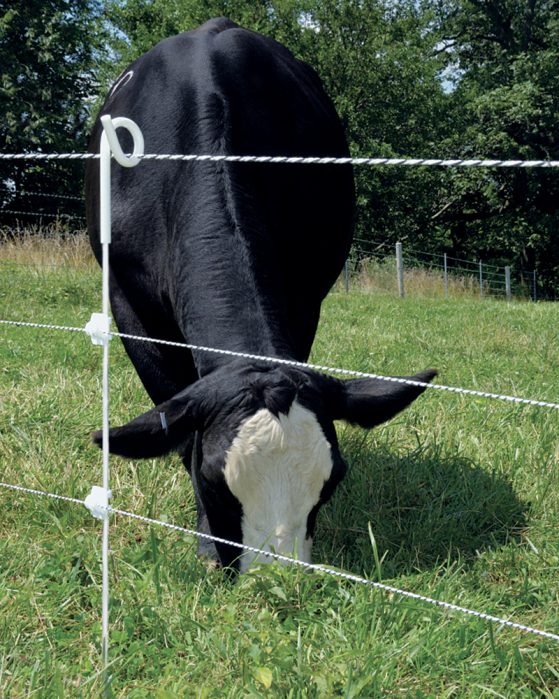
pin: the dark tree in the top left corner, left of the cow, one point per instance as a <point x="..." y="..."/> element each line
<point x="48" y="79"/>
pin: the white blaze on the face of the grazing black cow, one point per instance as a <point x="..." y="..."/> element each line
<point x="276" y="467"/>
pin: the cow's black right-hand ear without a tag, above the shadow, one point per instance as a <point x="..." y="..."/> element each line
<point x="368" y="402"/>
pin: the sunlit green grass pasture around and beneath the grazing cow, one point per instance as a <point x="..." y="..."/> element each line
<point x="461" y="496"/>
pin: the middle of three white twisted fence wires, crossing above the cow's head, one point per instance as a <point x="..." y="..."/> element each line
<point x="305" y="365"/>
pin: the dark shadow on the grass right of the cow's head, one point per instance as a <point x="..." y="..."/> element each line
<point x="424" y="508"/>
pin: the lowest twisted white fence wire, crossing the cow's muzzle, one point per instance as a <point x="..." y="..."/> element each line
<point x="307" y="566"/>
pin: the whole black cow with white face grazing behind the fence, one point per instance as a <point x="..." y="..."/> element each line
<point x="238" y="257"/>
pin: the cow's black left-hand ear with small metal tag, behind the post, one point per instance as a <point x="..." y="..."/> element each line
<point x="158" y="431"/>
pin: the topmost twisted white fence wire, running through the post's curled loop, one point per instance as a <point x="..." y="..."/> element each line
<point x="299" y="160"/>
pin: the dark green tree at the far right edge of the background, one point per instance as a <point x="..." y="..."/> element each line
<point x="504" y="60"/>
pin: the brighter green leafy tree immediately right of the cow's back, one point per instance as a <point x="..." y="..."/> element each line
<point x="378" y="61"/>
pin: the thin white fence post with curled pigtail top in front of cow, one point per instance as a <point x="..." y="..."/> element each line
<point x="109" y="145"/>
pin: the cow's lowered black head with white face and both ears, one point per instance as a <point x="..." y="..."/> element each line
<point x="265" y="454"/>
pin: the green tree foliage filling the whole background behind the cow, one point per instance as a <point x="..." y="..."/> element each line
<point x="427" y="78"/>
